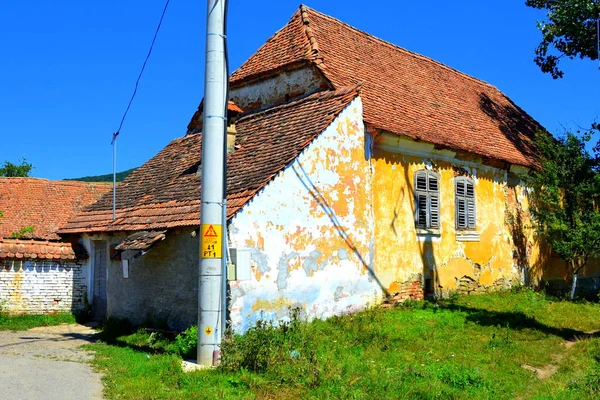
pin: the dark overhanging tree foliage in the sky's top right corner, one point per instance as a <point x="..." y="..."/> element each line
<point x="570" y="28"/>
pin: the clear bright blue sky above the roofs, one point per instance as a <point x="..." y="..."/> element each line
<point x="68" y="68"/>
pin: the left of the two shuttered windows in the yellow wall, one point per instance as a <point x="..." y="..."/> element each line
<point x="427" y="200"/>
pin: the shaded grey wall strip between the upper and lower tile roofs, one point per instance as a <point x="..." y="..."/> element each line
<point x="278" y="88"/>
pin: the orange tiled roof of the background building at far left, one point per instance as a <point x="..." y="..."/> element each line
<point x="43" y="204"/>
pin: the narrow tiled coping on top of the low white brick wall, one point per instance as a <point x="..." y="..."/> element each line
<point x="40" y="250"/>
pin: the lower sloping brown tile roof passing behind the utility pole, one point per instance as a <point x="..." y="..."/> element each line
<point x="165" y="191"/>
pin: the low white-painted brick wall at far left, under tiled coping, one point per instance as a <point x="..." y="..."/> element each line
<point x="41" y="287"/>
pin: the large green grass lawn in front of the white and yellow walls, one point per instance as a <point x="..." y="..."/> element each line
<point x="474" y="347"/>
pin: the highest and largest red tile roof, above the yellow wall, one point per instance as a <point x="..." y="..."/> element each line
<point x="403" y="92"/>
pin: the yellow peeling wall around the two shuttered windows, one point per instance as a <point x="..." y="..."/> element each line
<point x="446" y="258"/>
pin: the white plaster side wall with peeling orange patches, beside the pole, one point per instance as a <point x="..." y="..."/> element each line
<point x="299" y="257"/>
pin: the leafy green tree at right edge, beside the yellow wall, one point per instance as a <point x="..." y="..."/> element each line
<point x="565" y="194"/>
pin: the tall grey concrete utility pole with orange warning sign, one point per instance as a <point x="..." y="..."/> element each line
<point x="213" y="172"/>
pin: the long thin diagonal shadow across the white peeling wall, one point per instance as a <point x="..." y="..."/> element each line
<point x="342" y="232"/>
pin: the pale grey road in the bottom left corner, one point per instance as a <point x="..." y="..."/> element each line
<point x="47" y="364"/>
